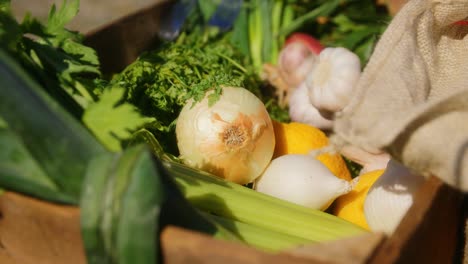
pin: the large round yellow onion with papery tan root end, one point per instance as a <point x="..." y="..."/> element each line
<point x="232" y="139"/>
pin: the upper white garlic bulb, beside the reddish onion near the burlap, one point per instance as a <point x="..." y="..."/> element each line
<point x="332" y="81"/>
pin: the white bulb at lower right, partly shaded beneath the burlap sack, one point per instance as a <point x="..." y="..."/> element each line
<point x="390" y="197"/>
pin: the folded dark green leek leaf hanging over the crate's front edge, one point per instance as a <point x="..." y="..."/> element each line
<point x="127" y="200"/>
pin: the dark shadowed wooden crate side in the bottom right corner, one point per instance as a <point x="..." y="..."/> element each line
<point x="428" y="233"/>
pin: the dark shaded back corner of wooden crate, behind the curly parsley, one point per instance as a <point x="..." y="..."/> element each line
<point x="119" y="43"/>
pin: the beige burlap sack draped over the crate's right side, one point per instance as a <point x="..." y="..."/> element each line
<point x="412" y="99"/>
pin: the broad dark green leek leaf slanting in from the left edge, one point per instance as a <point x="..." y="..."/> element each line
<point x="61" y="146"/>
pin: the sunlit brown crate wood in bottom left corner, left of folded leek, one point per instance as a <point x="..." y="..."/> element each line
<point x="34" y="231"/>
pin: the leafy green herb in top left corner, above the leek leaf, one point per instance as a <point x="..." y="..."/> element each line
<point x="52" y="54"/>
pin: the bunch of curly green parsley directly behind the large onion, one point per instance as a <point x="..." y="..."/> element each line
<point x="160" y="82"/>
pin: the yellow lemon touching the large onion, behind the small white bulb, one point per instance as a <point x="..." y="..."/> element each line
<point x="300" y="138"/>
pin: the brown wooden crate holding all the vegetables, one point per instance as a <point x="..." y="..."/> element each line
<point x="34" y="231"/>
